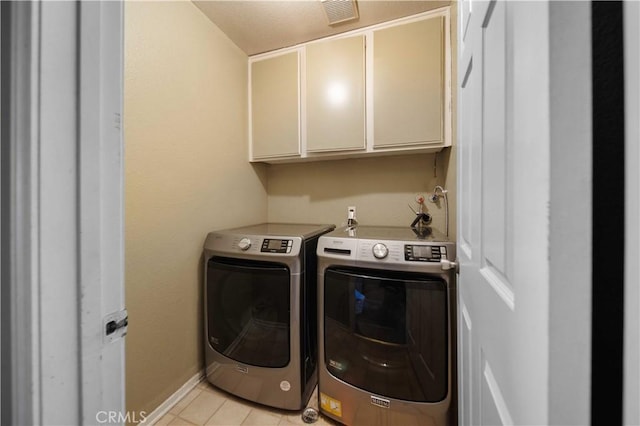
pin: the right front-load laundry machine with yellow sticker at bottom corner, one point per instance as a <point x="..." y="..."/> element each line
<point x="387" y="301"/>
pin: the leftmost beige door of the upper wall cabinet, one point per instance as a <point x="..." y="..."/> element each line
<point x="275" y="112"/>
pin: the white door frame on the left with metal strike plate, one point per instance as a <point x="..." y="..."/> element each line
<point x="62" y="241"/>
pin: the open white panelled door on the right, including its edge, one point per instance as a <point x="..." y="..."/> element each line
<point x="510" y="194"/>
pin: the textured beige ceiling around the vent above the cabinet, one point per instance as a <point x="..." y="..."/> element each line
<point x="259" y="26"/>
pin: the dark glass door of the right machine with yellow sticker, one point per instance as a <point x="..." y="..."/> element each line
<point x="386" y="332"/>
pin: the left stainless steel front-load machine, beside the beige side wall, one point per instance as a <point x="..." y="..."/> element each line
<point x="261" y="312"/>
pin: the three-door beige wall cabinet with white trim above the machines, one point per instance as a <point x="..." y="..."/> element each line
<point x="381" y="90"/>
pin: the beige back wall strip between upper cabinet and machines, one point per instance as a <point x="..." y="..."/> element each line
<point x="381" y="189"/>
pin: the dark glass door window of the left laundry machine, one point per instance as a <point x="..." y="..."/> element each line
<point x="248" y="311"/>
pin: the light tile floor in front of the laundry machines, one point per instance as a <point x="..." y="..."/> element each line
<point x="207" y="406"/>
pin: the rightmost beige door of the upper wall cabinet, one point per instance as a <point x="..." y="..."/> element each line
<point x="408" y="84"/>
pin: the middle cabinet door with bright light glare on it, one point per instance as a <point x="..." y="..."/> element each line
<point x="335" y="96"/>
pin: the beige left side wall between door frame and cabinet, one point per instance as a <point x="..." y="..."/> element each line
<point x="186" y="173"/>
